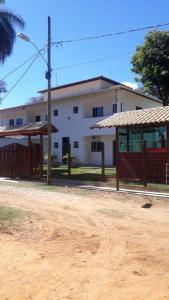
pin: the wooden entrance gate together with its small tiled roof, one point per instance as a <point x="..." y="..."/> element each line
<point x="22" y="161"/>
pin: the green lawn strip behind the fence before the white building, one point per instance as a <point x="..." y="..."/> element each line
<point x="81" y="173"/>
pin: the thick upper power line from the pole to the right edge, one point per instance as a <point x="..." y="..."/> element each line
<point x="109" y="34"/>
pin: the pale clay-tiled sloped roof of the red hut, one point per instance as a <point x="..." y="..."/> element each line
<point x="136" y="117"/>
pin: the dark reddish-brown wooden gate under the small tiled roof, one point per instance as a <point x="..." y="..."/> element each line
<point x="20" y="161"/>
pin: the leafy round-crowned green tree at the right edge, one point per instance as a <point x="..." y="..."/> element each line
<point x="151" y="64"/>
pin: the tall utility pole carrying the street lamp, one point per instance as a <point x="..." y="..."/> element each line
<point x="48" y="77"/>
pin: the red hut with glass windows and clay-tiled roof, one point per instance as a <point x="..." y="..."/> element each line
<point x="142" y="144"/>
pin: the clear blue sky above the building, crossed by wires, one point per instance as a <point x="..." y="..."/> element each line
<point x="76" y="19"/>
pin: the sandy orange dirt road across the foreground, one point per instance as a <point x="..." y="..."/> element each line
<point x="77" y="245"/>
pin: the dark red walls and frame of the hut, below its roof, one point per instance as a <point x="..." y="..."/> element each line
<point x="149" y="165"/>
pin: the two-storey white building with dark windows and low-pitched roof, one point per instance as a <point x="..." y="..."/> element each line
<point x="76" y="107"/>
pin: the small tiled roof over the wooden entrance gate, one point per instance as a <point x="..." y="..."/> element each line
<point x="38" y="128"/>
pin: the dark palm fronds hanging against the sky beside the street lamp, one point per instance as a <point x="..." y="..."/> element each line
<point x="8" y="21"/>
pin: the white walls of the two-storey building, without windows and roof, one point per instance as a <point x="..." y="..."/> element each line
<point x="77" y="126"/>
